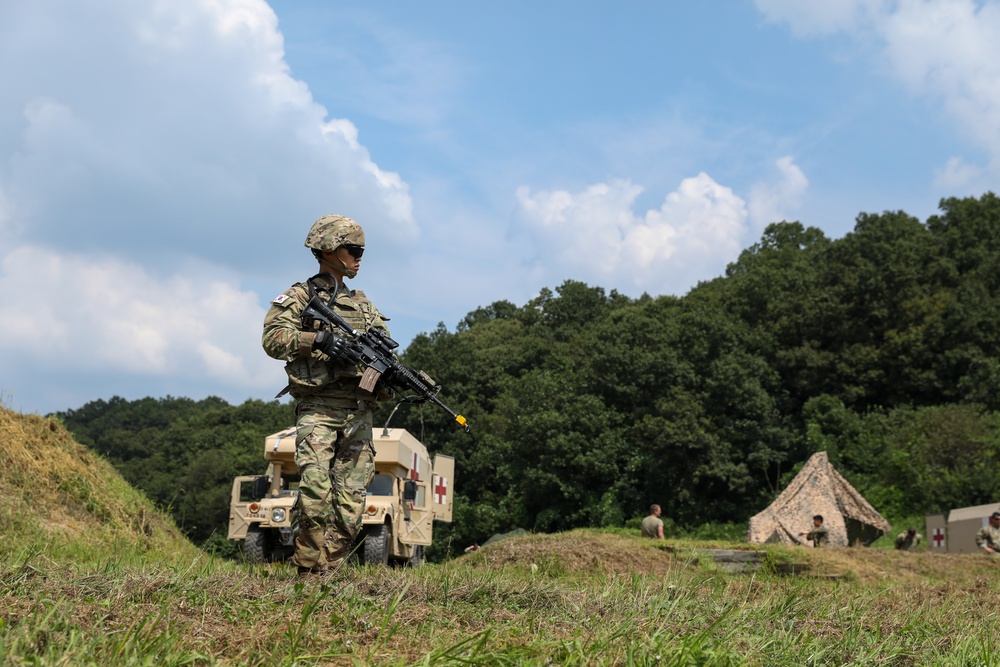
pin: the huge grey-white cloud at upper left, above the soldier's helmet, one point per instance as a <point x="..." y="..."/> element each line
<point x="197" y="118"/>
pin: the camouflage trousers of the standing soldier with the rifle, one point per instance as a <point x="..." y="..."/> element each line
<point x="336" y="460"/>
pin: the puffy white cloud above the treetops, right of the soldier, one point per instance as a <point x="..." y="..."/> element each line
<point x="698" y="229"/>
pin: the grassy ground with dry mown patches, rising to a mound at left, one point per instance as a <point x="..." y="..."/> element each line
<point x="93" y="575"/>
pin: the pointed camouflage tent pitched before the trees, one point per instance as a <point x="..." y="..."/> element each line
<point x="818" y="489"/>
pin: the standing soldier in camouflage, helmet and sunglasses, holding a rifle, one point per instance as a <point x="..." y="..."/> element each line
<point x="333" y="449"/>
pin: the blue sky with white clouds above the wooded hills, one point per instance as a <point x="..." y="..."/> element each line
<point x="160" y="163"/>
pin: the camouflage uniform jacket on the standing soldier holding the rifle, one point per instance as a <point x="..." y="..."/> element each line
<point x="288" y="338"/>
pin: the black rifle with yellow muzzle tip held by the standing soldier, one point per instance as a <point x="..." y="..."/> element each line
<point x="382" y="364"/>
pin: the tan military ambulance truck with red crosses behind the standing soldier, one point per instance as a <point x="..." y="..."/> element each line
<point x="405" y="497"/>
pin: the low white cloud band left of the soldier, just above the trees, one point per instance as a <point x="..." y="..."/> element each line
<point x="112" y="316"/>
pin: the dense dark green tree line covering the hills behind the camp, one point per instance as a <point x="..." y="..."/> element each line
<point x="880" y="348"/>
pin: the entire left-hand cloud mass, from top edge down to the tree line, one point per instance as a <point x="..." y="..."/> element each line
<point x="150" y="152"/>
